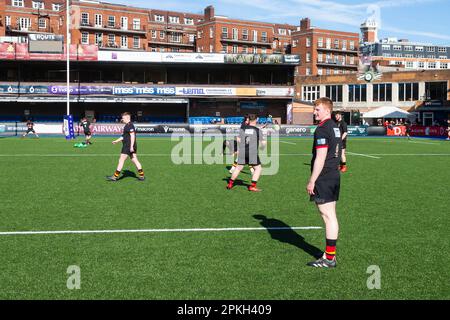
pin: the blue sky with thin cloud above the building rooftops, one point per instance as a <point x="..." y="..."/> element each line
<point x="425" y="21"/>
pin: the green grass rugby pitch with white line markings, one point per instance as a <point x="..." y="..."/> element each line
<point x="394" y="213"/>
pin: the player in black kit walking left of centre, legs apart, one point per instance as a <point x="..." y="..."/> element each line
<point x="129" y="148"/>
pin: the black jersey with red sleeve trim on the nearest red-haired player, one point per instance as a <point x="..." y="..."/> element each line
<point x="328" y="135"/>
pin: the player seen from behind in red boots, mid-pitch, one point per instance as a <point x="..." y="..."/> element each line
<point x="249" y="140"/>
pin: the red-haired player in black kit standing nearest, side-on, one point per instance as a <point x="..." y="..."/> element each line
<point x="324" y="183"/>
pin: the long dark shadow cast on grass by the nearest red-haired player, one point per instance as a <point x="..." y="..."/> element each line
<point x="287" y="235"/>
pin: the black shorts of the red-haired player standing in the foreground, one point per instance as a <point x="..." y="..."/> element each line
<point x="327" y="187"/>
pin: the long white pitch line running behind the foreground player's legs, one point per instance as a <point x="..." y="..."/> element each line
<point x="19" y="233"/>
